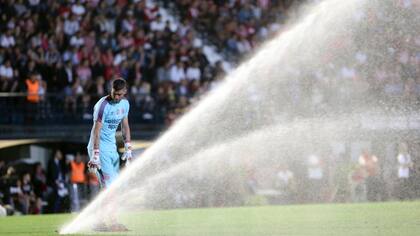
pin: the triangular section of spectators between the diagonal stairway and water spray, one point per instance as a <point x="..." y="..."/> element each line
<point x="234" y="27"/>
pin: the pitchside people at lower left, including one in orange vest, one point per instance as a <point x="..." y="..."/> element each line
<point x="64" y="185"/>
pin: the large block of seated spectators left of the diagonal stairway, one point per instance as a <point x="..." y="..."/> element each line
<point x="74" y="48"/>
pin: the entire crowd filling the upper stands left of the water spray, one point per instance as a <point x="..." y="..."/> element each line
<point x="73" y="49"/>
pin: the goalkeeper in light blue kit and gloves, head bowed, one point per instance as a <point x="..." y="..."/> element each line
<point x="109" y="112"/>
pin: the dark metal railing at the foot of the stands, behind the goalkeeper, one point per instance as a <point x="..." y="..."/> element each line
<point x="16" y="109"/>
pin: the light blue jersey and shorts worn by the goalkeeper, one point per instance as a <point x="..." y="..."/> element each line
<point x="110" y="114"/>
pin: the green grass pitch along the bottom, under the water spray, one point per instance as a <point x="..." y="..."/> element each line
<point x="392" y="218"/>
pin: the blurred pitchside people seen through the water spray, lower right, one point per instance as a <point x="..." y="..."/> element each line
<point x="373" y="175"/>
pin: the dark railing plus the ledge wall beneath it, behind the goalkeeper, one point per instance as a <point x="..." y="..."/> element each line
<point x="57" y="116"/>
